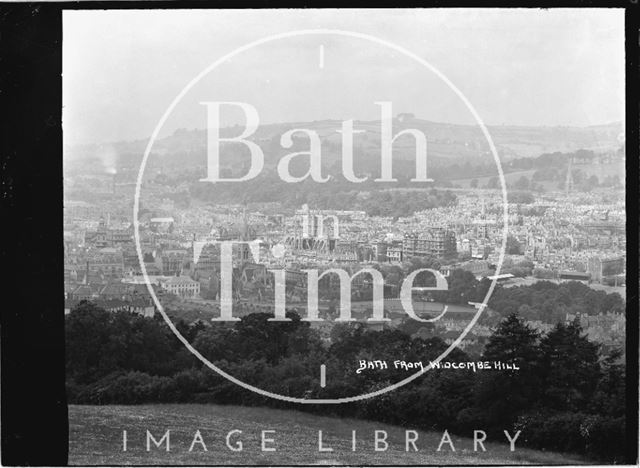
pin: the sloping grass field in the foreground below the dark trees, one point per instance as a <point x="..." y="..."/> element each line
<point x="95" y="438"/>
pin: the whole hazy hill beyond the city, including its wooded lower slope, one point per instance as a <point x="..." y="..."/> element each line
<point x="458" y="157"/>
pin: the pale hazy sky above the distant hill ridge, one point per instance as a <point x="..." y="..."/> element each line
<point x="517" y="67"/>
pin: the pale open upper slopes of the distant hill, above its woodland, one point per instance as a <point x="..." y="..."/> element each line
<point x="448" y="143"/>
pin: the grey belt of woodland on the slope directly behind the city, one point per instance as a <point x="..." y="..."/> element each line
<point x="391" y="199"/>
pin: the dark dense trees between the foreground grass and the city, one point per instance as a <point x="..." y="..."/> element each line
<point x="569" y="394"/>
